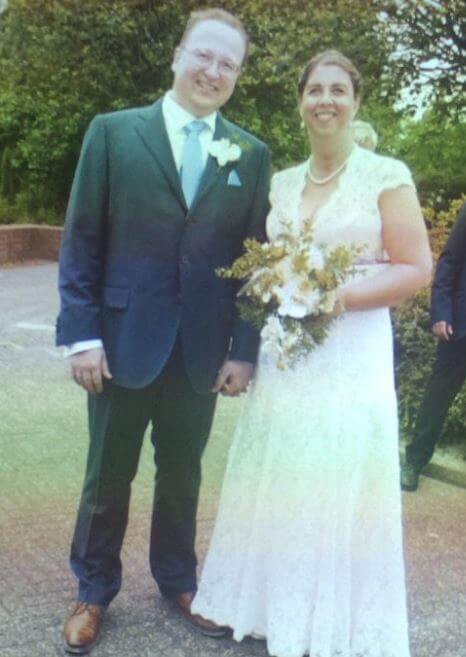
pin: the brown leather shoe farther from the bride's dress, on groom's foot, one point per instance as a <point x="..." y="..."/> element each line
<point x="82" y="628"/>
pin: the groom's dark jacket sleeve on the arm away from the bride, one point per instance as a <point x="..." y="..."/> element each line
<point x="83" y="244"/>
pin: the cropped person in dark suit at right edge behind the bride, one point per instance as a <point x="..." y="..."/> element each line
<point x="448" y="314"/>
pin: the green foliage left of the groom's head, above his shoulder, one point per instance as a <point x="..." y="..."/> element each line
<point x="63" y="61"/>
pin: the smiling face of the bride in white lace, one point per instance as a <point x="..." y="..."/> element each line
<point x="328" y="104"/>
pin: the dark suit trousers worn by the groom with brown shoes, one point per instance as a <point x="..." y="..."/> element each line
<point x="118" y="418"/>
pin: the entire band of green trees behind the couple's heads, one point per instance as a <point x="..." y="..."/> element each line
<point x="63" y="61"/>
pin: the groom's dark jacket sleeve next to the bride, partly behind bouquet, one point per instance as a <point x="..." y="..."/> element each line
<point x="245" y="338"/>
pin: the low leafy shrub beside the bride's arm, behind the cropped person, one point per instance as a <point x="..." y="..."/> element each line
<point x="417" y="344"/>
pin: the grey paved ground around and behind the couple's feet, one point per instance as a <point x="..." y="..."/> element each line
<point x="43" y="444"/>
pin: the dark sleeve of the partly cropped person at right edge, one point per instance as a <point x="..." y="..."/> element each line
<point x="449" y="267"/>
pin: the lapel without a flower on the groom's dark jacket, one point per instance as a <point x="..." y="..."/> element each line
<point x="152" y="131"/>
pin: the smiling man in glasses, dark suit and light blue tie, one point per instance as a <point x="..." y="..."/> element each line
<point x="151" y="330"/>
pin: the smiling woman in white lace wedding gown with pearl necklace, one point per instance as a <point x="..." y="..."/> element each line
<point x="307" y="547"/>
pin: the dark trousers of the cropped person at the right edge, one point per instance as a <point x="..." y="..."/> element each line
<point x="447" y="378"/>
